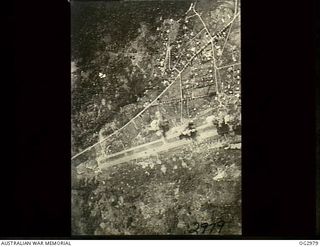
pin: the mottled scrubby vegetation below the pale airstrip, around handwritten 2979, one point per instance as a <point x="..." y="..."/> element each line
<point x="165" y="194"/>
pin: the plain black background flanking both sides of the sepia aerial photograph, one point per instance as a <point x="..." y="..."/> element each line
<point x="279" y="138"/>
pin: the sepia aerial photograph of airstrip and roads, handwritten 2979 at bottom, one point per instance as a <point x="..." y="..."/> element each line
<point x="156" y="117"/>
